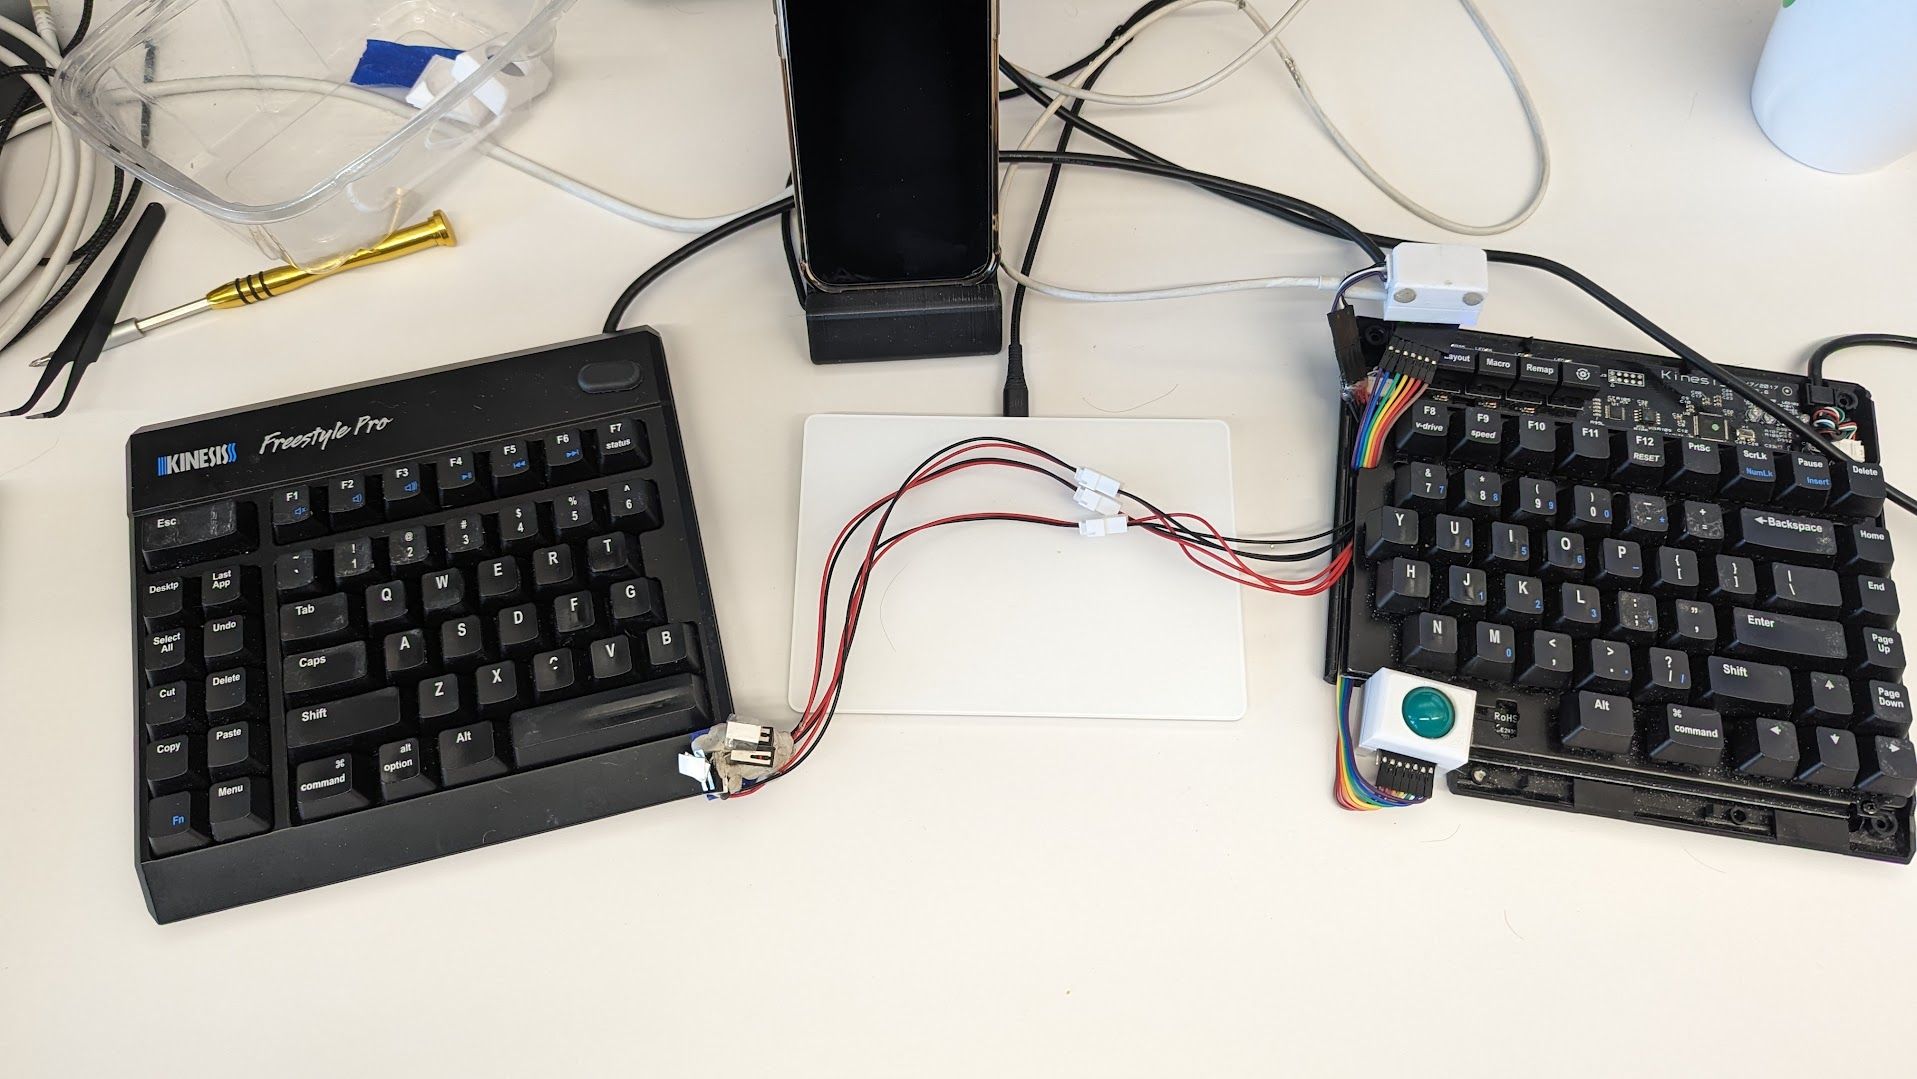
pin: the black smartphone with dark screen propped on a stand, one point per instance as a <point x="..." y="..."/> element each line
<point x="894" y="114"/>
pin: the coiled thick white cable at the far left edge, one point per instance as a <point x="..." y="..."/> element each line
<point x="60" y="212"/>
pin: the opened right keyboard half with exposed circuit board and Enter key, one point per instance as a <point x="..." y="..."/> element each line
<point x="1669" y="608"/>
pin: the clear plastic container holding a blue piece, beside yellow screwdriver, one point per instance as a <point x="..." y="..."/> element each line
<point x="246" y="110"/>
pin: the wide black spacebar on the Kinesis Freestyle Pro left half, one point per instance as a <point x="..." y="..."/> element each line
<point x="609" y="720"/>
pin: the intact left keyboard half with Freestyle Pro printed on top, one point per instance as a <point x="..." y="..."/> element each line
<point x="413" y="618"/>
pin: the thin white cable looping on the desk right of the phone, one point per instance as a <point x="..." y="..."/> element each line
<point x="1270" y="35"/>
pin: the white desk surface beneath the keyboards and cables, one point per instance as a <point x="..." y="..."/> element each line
<point x="1186" y="900"/>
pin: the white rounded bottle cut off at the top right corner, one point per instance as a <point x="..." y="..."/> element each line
<point x="1837" y="87"/>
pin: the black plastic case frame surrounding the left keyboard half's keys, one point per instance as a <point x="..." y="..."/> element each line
<point x="451" y="821"/>
